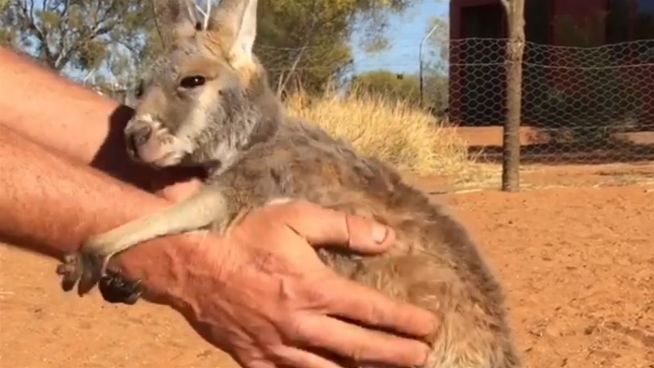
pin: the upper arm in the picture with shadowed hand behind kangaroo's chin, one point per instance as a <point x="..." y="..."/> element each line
<point x="69" y="118"/>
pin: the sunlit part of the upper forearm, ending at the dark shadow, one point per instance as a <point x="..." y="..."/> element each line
<point x="35" y="101"/>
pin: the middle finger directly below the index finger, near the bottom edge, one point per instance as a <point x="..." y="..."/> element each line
<point x="359" y="344"/>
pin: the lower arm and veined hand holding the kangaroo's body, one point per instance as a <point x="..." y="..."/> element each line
<point x="264" y="303"/>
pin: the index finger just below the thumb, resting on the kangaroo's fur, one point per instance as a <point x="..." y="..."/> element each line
<point x="368" y="306"/>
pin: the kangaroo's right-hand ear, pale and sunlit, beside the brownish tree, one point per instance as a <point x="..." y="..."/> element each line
<point x="234" y="23"/>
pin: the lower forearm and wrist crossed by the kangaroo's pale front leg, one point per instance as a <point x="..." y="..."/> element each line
<point x="51" y="206"/>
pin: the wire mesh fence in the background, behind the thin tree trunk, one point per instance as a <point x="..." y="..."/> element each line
<point x="581" y="106"/>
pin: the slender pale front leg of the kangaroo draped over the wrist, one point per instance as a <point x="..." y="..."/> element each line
<point x="87" y="266"/>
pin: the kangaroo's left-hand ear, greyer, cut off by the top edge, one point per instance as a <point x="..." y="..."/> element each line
<point x="175" y="19"/>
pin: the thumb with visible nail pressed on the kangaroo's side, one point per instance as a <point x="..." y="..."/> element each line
<point x="326" y="227"/>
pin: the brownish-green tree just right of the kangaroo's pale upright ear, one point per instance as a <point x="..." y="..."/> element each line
<point x="305" y="43"/>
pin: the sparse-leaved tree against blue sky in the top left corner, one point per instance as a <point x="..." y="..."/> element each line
<point x="76" y="37"/>
